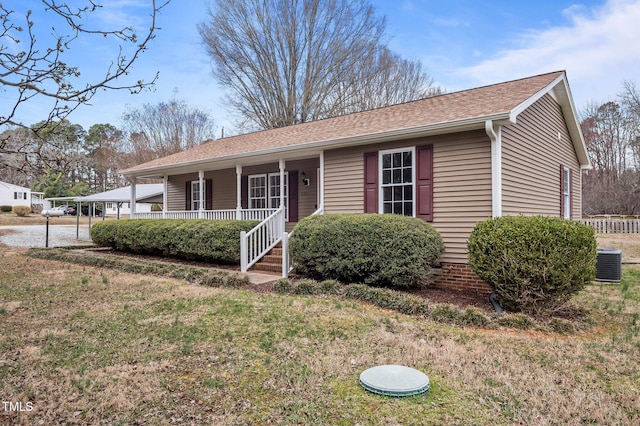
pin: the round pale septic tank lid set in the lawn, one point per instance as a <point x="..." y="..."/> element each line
<point x="394" y="380"/>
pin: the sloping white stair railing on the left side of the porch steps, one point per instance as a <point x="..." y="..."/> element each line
<point x="265" y="236"/>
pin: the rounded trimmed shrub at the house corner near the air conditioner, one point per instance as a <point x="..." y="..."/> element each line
<point x="533" y="263"/>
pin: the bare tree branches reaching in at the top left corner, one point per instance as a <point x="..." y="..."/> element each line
<point x="36" y="69"/>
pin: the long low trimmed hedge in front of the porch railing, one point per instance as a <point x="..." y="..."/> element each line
<point x="202" y="240"/>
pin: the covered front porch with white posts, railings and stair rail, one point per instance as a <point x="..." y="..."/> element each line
<point x="276" y="193"/>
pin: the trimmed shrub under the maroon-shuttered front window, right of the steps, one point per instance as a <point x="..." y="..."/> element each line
<point x="373" y="249"/>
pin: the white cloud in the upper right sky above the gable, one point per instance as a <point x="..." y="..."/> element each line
<point x="599" y="48"/>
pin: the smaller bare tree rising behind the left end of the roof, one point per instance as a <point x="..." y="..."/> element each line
<point x="163" y="129"/>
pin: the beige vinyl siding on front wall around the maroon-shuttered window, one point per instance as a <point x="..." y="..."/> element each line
<point x="461" y="184"/>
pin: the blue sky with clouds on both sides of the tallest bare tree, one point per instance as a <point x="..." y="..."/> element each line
<point x="462" y="44"/>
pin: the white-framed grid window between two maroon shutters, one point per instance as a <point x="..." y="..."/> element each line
<point x="397" y="182"/>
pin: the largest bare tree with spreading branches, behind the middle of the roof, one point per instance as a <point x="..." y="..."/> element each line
<point x="292" y="61"/>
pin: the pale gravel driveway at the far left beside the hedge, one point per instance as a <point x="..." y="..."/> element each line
<point x="34" y="235"/>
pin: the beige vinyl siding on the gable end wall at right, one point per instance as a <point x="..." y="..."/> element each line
<point x="532" y="155"/>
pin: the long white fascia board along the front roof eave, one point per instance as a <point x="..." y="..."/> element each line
<point x="314" y="148"/>
